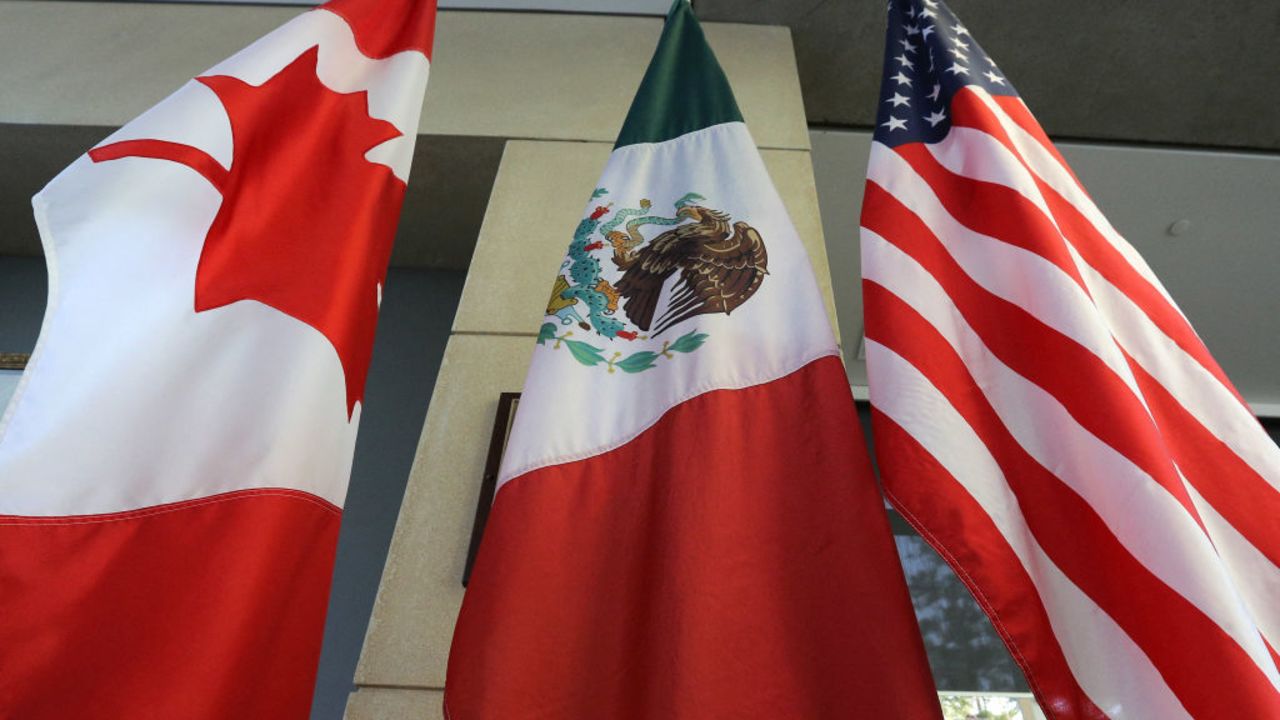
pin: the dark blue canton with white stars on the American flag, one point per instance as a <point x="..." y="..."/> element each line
<point x="929" y="58"/>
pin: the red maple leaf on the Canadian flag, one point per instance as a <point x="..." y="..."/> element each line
<point x="307" y="224"/>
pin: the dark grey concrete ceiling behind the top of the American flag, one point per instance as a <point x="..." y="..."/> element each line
<point x="1180" y="72"/>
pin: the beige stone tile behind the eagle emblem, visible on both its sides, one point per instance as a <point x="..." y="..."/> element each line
<point x="538" y="200"/>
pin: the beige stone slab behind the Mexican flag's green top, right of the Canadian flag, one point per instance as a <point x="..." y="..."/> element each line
<point x="573" y="78"/>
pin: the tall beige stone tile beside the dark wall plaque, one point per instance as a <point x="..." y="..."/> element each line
<point x="409" y="635"/>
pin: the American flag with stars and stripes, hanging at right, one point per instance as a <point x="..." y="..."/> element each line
<point x="1045" y="414"/>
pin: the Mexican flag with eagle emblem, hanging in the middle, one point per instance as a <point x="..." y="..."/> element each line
<point x="687" y="522"/>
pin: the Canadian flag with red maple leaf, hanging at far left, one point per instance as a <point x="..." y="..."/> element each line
<point x="175" y="462"/>
